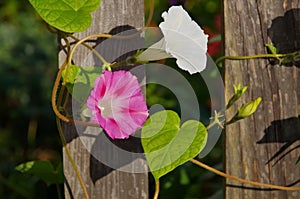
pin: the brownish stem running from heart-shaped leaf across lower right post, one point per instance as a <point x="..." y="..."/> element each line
<point x="285" y="188"/>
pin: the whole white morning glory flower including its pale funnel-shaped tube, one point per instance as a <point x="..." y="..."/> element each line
<point x="183" y="39"/>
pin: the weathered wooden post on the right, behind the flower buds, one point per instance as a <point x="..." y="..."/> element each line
<point x="263" y="148"/>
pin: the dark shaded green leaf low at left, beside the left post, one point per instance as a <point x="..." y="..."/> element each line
<point x="43" y="170"/>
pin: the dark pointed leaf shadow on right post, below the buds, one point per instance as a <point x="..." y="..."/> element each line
<point x="282" y="131"/>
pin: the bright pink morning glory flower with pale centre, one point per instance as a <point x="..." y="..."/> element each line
<point x="117" y="104"/>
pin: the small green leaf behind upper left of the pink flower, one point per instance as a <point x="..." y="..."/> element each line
<point x="80" y="80"/>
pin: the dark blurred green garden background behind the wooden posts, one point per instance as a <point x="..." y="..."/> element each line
<point x="28" y="65"/>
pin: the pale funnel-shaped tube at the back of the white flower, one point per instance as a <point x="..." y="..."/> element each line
<point x="155" y="52"/>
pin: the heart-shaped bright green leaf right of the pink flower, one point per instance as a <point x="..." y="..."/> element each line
<point x="167" y="145"/>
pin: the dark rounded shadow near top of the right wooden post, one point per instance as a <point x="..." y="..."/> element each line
<point x="285" y="33"/>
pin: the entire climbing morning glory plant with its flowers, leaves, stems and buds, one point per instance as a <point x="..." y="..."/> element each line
<point x="120" y="109"/>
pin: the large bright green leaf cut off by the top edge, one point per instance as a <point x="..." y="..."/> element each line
<point x="66" y="15"/>
